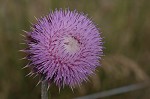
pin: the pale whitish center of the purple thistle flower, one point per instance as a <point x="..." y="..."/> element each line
<point x="71" y="44"/>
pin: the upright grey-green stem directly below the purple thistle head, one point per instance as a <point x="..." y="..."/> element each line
<point x="44" y="91"/>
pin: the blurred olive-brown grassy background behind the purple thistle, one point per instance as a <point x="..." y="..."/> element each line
<point x="125" y="26"/>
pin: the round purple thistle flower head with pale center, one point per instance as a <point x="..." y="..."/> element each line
<point x="64" y="47"/>
